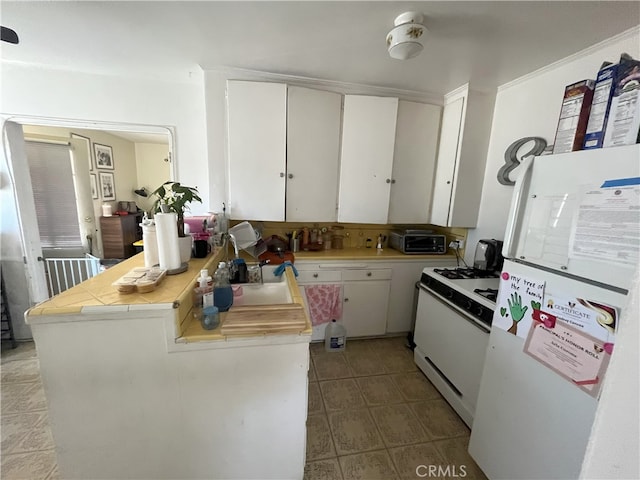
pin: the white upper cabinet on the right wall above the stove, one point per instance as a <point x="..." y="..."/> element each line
<point x="462" y="156"/>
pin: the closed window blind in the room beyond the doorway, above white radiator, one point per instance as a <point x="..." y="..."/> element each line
<point x="54" y="194"/>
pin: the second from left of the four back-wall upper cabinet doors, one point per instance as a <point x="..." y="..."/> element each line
<point x="313" y="148"/>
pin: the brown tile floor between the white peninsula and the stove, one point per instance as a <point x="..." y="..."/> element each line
<point x="374" y="415"/>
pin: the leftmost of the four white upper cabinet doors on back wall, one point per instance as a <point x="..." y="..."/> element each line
<point x="257" y="123"/>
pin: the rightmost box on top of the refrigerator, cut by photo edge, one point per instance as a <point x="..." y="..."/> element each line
<point x="623" y="124"/>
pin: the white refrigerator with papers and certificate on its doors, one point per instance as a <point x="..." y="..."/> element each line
<point x="571" y="249"/>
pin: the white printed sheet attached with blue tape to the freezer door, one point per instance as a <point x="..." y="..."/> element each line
<point x="607" y="225"/>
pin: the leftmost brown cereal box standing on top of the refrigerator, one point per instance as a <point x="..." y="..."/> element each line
<point x="574" y="116"/>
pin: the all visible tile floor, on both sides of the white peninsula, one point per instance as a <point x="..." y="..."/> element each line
<point x="372" y="415"/>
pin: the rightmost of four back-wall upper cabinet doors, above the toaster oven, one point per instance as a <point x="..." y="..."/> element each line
<point x="414" y="162"/>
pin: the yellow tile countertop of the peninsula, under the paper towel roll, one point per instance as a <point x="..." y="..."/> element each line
<point x="97" y="295"/>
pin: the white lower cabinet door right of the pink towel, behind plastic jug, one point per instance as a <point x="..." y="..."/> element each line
<point x="364" y="309"/>
